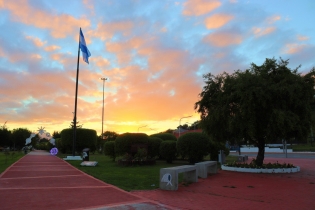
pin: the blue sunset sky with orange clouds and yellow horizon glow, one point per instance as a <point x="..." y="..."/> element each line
<point x="153" y="52"/>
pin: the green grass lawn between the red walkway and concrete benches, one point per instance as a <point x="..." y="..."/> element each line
<point x="131" y="177"/>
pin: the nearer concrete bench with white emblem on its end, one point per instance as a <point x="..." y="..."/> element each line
<point x="169" y="176"/>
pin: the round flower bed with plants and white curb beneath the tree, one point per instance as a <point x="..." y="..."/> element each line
<point x="265" y="168"/>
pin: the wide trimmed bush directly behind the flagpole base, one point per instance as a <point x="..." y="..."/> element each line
<point x="85" y="138"/>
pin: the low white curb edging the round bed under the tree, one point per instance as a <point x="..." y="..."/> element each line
<point x="261" y="170"/>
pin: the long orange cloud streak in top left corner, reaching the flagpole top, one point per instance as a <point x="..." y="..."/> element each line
<point x="60" y="25"/>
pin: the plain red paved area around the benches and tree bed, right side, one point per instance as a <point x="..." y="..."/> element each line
<point x="234" y="190"/>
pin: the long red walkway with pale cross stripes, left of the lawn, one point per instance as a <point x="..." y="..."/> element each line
<point x="41" y="181"/>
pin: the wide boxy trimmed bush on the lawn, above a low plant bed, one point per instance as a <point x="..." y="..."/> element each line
<point x="124" y="142"/>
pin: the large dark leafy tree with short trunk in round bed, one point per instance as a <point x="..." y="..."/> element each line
<point x="259" y="104"/>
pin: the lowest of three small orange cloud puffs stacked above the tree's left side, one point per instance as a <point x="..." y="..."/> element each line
<point x="223" y="39"/>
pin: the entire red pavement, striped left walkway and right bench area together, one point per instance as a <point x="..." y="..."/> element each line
<point x="41" y="181"/>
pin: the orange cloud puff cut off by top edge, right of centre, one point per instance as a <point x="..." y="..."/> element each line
<point x="200" y="7"/>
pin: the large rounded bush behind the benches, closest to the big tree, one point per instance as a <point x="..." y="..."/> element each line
<point x="193" y="145"/>
